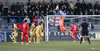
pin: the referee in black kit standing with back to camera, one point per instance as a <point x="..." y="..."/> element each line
<point x="85" y="31"/>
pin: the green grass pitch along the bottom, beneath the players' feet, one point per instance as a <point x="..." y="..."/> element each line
<point x="51" y="46"/>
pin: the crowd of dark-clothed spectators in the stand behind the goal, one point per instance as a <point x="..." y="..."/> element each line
<point x="40" y="9"/>
